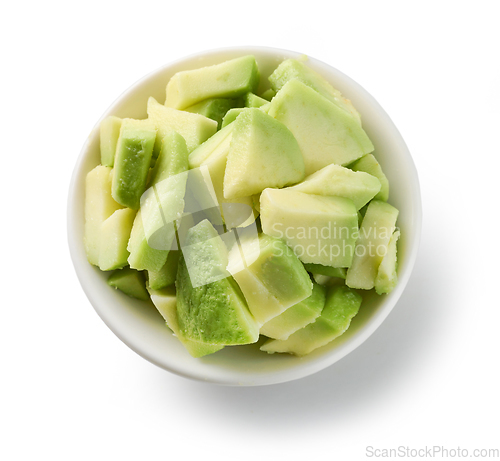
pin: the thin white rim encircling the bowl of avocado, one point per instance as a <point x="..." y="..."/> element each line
<point x="303" y="368"/>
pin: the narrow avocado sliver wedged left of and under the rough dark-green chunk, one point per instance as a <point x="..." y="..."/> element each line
<point x="165" y="300"/>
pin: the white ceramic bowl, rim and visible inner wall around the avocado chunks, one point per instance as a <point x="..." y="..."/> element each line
<point x="143" y="329"/>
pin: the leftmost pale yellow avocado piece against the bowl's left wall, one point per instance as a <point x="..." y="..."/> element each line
<point x="99" y="206"/>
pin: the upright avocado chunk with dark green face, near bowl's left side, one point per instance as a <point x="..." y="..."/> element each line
<point x="132" y="161"/>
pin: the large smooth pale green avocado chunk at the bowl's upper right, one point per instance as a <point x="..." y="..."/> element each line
<point x="325" y="133"/>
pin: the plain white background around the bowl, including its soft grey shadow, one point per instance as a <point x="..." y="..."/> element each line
<point x="70" y="390"/>
